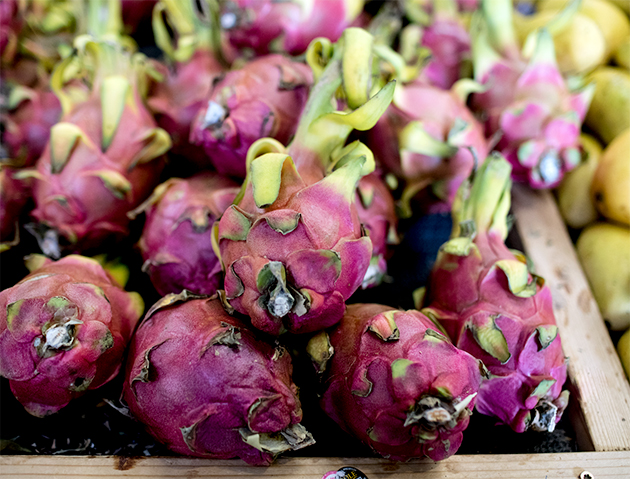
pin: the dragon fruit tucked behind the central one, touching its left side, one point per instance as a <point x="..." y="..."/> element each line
<point x="175" y="243"/>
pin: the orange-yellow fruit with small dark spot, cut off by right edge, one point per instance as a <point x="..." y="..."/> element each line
<point x="610" y="188"/>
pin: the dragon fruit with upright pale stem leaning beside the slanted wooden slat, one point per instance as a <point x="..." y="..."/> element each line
<point x="490" y="305"/>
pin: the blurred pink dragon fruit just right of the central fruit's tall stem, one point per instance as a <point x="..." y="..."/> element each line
<point x="429" y="138"/>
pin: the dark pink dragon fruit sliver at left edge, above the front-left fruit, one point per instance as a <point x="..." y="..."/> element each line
<point x="15" y="192"/>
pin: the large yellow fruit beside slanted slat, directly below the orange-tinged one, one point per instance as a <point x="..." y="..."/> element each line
<point x="604" y="251"/>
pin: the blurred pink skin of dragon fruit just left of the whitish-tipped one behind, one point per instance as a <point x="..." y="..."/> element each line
<point x="176" y="101"/>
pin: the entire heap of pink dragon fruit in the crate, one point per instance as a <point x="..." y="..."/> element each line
<point x="267" y="155"/>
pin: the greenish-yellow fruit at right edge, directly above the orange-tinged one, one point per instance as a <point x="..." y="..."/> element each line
<point x="609" y="113"/>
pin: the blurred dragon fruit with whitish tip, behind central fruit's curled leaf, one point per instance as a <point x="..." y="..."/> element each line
<point x="264" y="98"/>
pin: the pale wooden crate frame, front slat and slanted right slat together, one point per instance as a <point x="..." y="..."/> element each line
<point x="599" y="409"/>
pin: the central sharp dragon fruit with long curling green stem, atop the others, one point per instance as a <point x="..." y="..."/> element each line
<point x="292" y="245"/>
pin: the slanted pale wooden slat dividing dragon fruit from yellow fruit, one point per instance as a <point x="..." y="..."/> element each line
<point x="599" y="383"/>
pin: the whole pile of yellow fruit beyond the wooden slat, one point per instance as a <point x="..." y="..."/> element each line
<point x="592" y="38"/>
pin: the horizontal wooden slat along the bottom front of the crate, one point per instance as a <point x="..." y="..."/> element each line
<point x="566" y="465"/>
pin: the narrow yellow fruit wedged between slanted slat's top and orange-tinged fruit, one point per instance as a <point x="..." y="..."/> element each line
<point x="574" y="198"/>
